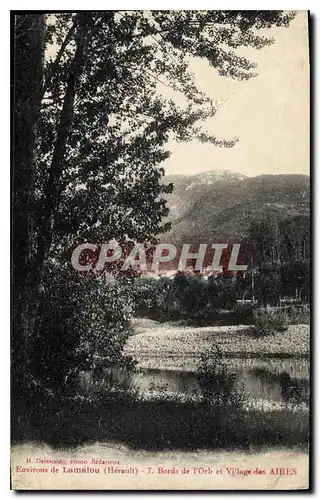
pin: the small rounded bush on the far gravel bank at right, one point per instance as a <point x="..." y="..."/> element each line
<point x="269" y="320"/>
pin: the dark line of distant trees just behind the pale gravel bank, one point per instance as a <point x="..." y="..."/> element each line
<point x="217" y="298"/>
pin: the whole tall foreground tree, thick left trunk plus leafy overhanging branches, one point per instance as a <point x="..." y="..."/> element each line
<point x="103" y="124"/>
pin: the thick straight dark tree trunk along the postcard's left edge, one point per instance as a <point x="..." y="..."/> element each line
<point x="29" y="38"/>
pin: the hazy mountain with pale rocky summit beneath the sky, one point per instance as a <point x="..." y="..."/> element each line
<point x="216" y="206"/>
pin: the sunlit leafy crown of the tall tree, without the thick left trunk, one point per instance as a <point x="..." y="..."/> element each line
<point x="120" y="123"/>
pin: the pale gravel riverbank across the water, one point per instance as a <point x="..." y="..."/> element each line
<point x="170" y="346"/>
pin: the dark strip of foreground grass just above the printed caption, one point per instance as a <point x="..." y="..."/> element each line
<point x="160" y="425"/>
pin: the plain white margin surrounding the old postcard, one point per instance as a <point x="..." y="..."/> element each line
<point x="5" y="182"/>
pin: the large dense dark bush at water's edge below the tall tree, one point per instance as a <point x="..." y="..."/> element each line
<point x="83" y="324"/>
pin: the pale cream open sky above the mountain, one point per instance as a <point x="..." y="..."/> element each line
<point x="269" y="113"/>
